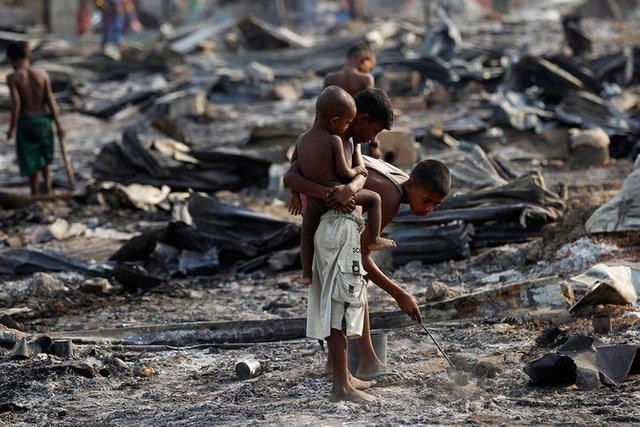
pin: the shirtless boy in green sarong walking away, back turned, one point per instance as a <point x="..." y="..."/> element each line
<point x="33" y="108"/>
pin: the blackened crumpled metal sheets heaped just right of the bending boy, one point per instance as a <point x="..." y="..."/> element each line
<point x="515" y="212"/>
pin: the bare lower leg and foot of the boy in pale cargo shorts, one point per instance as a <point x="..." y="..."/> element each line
<point x="342" y="388"/>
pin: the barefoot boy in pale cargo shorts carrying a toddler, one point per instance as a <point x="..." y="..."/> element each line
<point x="337" y="294"/>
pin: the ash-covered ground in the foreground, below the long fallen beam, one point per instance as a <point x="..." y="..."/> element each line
<point x="198" y="387"/>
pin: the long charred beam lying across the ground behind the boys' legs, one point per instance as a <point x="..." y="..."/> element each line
<point x="519" y="299"/>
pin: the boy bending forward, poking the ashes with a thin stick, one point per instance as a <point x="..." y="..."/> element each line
<point x="423" y="190"/>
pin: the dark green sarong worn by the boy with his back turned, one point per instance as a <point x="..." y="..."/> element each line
<point x="34" y="143"/>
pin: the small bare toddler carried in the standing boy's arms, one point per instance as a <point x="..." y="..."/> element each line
<point x="325" y="158"/>
